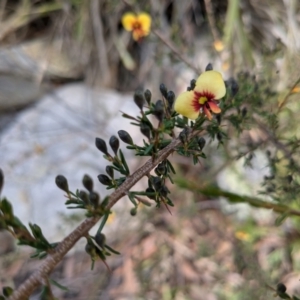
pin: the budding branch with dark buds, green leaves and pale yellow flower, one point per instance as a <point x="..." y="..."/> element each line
<point x="169" y="125"/>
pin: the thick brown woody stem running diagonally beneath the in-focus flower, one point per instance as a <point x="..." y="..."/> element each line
<point x="27" y="288"/>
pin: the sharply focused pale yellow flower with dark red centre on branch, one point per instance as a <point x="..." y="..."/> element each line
<point x="210" y="87"/>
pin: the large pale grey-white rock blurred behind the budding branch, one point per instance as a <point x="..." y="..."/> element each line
<point x="56" y="136"/>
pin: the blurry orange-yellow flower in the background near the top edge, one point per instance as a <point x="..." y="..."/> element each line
<point x="139" y="24"/>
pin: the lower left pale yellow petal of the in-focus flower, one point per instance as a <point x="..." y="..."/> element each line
<point x="184" y="105"/>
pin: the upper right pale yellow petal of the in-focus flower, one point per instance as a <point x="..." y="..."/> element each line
<point x="211" y="82"/>
